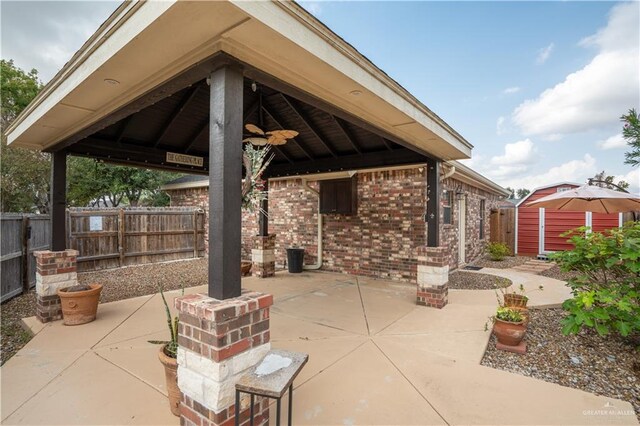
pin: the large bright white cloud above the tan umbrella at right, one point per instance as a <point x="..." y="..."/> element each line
<point x="594" y="96"/>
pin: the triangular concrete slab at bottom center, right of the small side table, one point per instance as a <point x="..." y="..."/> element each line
<point x="362" y="388"/>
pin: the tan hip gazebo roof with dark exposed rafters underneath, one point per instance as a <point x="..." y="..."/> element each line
<point x="137" y="89"/>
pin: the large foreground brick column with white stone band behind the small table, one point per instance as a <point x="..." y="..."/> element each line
<point x="218" y="341"/>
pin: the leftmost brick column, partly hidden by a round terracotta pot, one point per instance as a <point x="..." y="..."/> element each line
<point x="54" y="270"/>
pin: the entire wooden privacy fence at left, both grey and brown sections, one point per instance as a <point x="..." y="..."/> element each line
<point x="105" y="238"/>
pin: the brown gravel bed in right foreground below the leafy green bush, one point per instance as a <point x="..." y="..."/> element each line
<point x="607" y="366"/>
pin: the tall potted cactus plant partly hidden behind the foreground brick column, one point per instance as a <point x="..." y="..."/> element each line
<point x="168" y="355"/>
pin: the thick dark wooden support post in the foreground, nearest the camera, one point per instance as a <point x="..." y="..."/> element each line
<point x="225" y="176"/>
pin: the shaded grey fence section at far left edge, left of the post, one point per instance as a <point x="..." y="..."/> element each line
<point x="20" y="236"/>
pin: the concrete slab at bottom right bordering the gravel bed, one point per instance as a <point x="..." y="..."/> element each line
<point x="468" y="393"/>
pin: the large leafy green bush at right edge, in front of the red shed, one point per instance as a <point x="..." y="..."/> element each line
<point x="606" y="290"/>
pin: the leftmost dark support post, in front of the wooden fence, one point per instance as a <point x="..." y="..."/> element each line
<point x="58" y="200"/>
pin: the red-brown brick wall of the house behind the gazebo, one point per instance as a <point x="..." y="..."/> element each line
<point x="380" y="241"/>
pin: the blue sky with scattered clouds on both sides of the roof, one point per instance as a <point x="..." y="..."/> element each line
<point x="536" y="87"/>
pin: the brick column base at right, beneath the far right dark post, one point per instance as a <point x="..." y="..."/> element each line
<point x="433" y="277"/>
